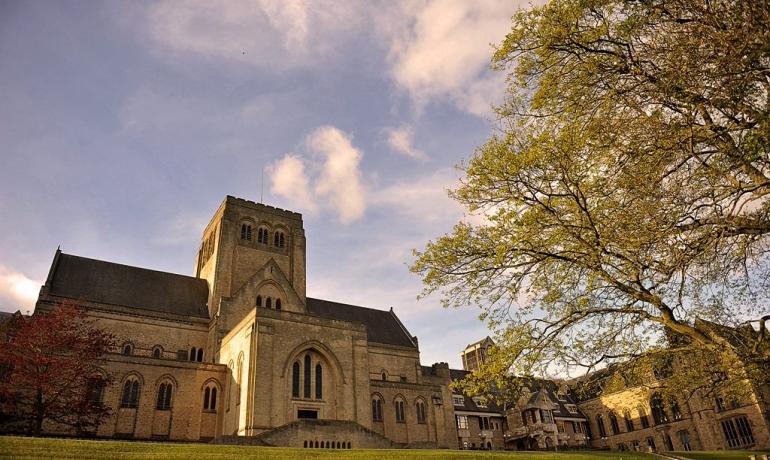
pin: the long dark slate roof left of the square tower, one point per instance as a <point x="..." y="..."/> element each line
<point x="116" y="284"/>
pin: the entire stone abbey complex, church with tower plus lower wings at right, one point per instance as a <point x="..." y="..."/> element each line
<point x="238" y="353"/>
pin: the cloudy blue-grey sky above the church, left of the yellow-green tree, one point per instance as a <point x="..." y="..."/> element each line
<point x="123" y="126"/>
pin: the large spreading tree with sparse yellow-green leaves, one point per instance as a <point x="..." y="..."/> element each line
<point x="625" y="195"/>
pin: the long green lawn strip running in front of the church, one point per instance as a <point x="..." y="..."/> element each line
<point x="20" y="447"/>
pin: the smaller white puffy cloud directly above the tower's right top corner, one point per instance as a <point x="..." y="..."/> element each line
<point x="289" y="180"/>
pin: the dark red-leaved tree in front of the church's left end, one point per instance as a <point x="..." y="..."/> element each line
<point x="51" y="372"/>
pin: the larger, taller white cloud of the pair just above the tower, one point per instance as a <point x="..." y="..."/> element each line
<point x="340" y="179"/>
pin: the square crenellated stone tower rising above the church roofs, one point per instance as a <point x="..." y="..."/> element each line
<point x="242" y="239"/>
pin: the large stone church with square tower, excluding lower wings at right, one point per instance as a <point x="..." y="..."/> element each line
<point x="240" y="353"/>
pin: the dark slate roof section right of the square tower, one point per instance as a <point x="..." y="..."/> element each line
<point x="381" y="326"/>
